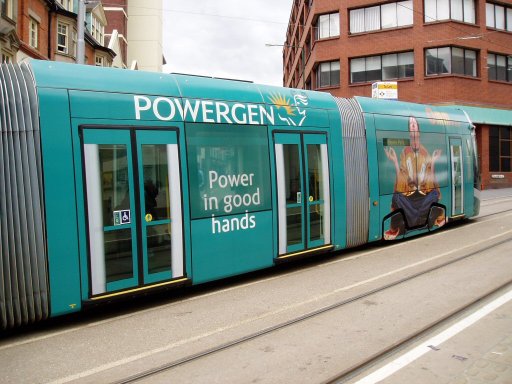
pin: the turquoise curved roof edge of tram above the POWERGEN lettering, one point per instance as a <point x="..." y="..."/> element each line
<point x="50" y="74"/>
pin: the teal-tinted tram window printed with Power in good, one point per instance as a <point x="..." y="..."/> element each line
<point x="228" y="169"/>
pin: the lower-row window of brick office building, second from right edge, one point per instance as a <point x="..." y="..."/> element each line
<point x="450" y="60"/>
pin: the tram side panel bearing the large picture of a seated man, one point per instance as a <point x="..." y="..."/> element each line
<point x="412" y="173"/>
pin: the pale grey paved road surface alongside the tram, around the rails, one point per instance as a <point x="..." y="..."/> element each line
<point x="98" y="348"/>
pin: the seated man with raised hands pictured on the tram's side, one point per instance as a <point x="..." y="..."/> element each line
<point x="416" y="187"/>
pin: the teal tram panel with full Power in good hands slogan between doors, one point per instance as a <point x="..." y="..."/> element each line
<point x="230" y="199"/>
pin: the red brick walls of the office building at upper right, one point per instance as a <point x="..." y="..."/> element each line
<point x="426" y="89"/>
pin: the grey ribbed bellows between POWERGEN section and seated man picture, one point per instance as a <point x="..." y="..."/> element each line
<point x="356" y="171"/>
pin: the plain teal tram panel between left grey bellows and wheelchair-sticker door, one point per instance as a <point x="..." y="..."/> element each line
<point x="60" y="201"/>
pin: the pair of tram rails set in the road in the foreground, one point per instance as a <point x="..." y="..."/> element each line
<point x="354" y="370"/>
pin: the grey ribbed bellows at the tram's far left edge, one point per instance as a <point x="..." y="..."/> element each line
<point x="23" y="260"/>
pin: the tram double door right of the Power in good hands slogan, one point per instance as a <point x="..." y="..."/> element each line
<point x="303" y="191"/>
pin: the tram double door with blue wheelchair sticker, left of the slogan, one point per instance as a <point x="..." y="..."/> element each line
<point x="133" y="207"/>
